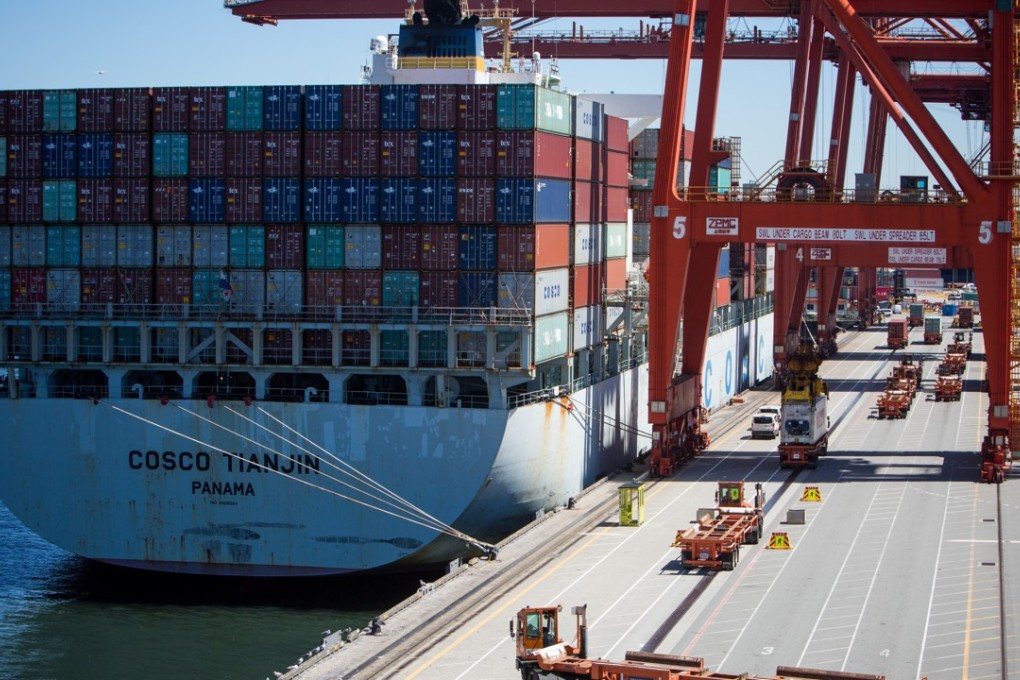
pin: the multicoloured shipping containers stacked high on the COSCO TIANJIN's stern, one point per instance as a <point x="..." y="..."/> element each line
<point x="289" y="201"/>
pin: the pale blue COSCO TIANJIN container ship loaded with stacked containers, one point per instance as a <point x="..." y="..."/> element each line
<point x="294" y="331"/>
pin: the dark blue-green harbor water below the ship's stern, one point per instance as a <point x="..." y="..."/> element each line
<point x="65" y="618"/>
